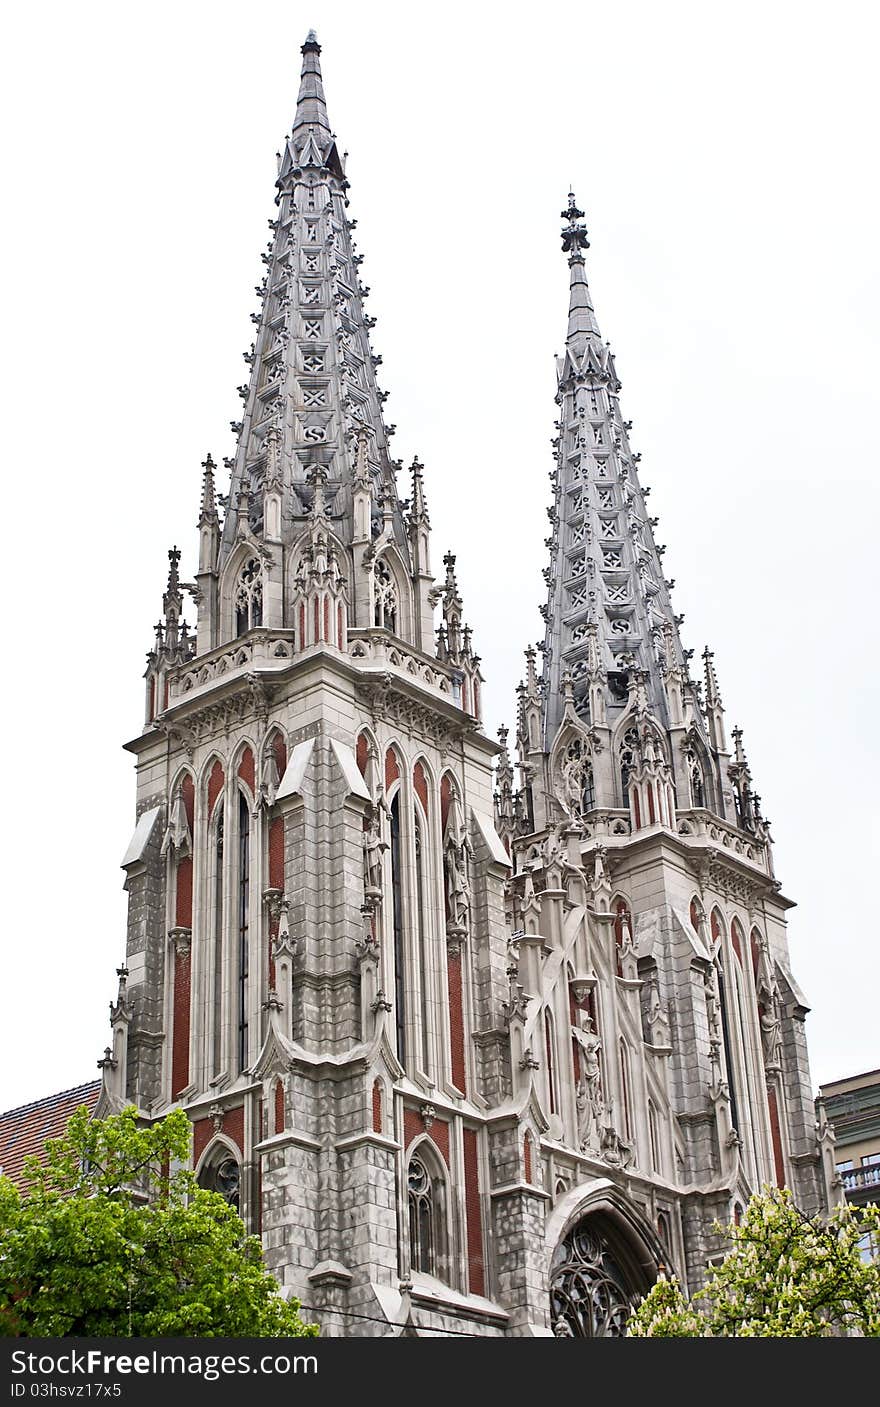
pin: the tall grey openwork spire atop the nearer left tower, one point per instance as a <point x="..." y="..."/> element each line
<point x="312" y="395"/>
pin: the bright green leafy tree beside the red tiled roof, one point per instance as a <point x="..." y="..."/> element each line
<point x="115" y="1237"/>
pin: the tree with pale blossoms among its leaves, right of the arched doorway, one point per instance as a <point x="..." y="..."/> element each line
<point x="786" y="1275"/>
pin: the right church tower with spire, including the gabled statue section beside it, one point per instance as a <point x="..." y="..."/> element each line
<point x="661" y="1015"/>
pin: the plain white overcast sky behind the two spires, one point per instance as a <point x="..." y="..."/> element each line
<point x="727" y="160"/>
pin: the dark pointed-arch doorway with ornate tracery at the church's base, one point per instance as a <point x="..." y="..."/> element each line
<point x="595" y="1281"/>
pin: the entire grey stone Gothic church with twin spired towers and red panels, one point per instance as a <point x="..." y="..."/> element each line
<point x="472" y="1057"/>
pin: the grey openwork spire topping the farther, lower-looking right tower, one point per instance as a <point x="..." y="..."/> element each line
<point x="609" y="618"/>
